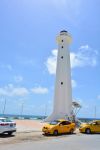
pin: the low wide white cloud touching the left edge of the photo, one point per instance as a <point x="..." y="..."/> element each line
<point x="10" y="90"/>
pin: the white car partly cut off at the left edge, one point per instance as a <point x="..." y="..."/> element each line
<point x="7" y="126"/>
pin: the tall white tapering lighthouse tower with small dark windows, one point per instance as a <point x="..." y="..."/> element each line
<point x="63" y="90"/>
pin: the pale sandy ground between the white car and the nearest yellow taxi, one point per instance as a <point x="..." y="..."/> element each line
<point x="27" y="130"/>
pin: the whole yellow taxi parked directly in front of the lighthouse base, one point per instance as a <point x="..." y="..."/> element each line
<point x="58" y="127"/>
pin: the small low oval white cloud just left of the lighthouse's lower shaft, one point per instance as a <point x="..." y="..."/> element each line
<point x="39" y="90"/>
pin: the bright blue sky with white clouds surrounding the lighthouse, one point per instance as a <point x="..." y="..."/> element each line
<point x="28" y="52"/>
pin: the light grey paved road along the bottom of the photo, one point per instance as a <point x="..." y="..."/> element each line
<point x="66" y="142"/>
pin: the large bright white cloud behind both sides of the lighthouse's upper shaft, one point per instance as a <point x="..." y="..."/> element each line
<point x="85" y="56"/>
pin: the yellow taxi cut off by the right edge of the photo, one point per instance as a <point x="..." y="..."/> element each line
<point x="92" y="127"/>
